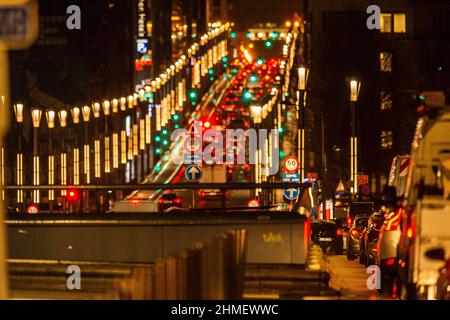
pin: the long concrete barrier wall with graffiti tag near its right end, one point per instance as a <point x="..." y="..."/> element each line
<point x="274" y="236"/>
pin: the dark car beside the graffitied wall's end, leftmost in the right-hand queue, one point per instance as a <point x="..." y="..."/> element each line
<point x="328" y="235"/>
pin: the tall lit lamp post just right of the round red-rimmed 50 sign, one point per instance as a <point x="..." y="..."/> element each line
<point x="303" y="73"/>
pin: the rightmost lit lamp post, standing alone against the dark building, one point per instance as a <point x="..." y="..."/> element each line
<point x="354" y="93"/>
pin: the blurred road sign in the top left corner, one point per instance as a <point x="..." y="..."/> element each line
<point x="18" y="23"/>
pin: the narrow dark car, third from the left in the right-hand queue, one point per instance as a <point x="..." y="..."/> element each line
<point x="369" y="238"/>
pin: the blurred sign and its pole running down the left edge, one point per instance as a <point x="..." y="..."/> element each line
<point x="18" y="30"/>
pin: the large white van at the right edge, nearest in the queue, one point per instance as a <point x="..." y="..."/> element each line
<point x="426" y="218"/>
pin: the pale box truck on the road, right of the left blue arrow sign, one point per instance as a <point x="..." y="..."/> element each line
<point x="215" y="173"/>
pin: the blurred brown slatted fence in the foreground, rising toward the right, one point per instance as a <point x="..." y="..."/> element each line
<point x="213" y="269"/>
